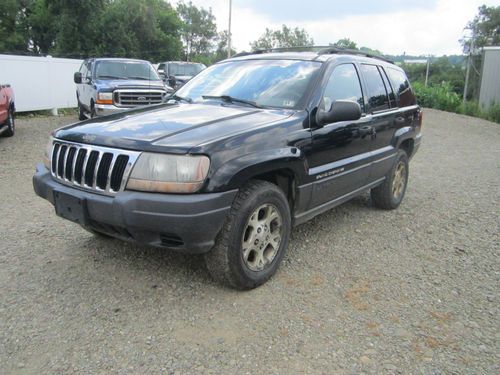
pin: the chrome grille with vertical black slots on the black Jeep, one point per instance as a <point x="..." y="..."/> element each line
<point x="96" y="168"/>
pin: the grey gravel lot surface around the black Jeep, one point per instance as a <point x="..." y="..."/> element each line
<point x="411" y="291"/>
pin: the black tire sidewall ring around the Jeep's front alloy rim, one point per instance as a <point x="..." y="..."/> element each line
<point x="235" y="254"/>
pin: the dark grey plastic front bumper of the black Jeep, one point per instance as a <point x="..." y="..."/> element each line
<point x="187" y="223"/>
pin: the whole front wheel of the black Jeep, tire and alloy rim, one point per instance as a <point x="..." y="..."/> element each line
<point x="254" y="238"/>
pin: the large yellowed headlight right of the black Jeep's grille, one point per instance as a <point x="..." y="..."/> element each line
<point x="168" y="173"/>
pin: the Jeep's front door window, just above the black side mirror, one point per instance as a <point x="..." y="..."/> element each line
<point x="343" y="85"/>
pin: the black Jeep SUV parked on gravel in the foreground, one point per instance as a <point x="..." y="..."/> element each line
<point x="244" y="151"/>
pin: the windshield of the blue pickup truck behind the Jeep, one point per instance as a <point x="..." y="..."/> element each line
<point x="125" y="70"/>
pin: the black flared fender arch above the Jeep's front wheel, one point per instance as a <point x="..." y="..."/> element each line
<point x="236" y="172"/>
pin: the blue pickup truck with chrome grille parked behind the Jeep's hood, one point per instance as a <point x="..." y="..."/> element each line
<point x="107" y="86"/>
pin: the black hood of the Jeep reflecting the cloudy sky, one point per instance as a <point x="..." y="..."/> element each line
<point x="174" y="128"/>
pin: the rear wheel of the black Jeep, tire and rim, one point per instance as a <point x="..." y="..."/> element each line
<point x="391" y="192"/>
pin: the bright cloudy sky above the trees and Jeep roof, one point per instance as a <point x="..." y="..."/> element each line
<point x="391" y="26"/>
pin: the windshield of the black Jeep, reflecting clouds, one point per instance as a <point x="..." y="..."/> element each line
<point x="268" y="83"/>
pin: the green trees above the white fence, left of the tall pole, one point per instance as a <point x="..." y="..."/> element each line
<point x="149" y="29"/>
